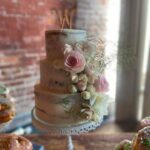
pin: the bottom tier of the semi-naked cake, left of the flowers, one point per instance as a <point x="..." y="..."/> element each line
<point x="54" y="108"/>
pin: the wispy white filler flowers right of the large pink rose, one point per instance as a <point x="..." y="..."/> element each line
<point x="94" y="52"/>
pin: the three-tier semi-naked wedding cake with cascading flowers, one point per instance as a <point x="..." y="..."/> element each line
<point x="72" y="84"/>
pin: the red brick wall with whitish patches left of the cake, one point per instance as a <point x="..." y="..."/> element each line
<point x="22" y="27"/>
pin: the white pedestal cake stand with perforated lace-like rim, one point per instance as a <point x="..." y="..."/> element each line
<point x="65" y="130"/>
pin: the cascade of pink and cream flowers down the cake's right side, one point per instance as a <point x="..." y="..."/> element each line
<point x="85" y="61"/>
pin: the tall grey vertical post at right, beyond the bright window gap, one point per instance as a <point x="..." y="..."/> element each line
<point x="134" y="34"/>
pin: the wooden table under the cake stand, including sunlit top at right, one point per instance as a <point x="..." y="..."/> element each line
<point x="105" y="137"/>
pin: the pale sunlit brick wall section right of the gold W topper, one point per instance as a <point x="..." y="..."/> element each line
<point x="92" y="16"/>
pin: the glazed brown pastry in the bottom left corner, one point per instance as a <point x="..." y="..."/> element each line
<point x="14" y="142"/>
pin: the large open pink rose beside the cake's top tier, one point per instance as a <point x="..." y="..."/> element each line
<point x="74" y="62"/>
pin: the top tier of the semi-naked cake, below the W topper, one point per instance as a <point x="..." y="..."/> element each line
<point x="56" y="39"/>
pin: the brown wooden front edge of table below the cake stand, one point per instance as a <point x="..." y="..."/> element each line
<point x="90" y="141"/>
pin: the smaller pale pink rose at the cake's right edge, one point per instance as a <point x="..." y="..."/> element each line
<point x="101" y="84"/>
